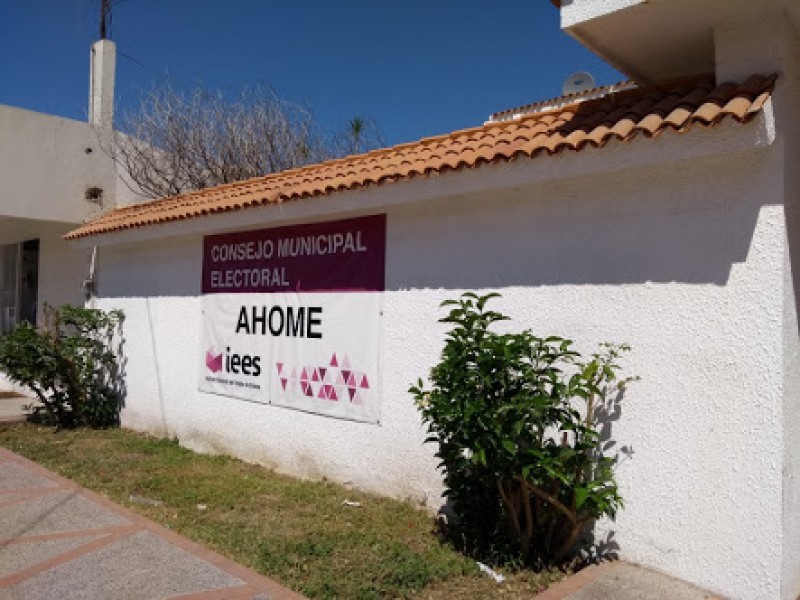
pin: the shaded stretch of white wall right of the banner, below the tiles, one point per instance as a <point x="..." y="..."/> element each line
<point x="574" y="240"/>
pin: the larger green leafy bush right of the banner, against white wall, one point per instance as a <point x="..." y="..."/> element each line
<point x="515" y="419"/>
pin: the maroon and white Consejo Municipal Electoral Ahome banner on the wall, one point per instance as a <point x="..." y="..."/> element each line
<point x="292" y="316"/>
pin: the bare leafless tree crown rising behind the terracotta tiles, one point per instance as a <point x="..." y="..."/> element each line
<point x="178" y="142"/>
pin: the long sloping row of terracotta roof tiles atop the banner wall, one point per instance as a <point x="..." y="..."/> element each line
<point x="616" y="116"/>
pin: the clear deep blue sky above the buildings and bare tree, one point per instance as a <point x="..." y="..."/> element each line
<point x="416" y="67"/>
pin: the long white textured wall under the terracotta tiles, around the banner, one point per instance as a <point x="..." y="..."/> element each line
<point x="683" y="260"/>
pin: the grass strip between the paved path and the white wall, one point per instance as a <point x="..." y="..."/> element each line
<point x="298" y="532"/>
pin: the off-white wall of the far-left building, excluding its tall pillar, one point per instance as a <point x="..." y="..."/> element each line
<point x="46" y="165"/>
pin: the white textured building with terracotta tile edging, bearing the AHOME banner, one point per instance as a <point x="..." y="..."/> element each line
<point x="664" y="216"/>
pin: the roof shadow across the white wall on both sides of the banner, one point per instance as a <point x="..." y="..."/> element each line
<point x="547" y="237"/>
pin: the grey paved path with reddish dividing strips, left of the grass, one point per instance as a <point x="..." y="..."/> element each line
<point x="58" y="540"/>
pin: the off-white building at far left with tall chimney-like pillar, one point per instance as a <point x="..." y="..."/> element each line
<point x="54" y="177"/>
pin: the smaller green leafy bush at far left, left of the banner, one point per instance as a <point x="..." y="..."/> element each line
<point x="72" y="365"/>
